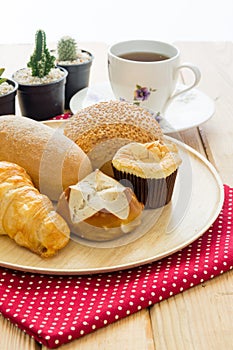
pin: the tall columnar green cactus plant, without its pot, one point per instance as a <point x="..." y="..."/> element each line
<point x="41" y="62"/>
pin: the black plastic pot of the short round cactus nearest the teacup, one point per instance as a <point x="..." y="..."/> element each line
<point x="78" y="78"/>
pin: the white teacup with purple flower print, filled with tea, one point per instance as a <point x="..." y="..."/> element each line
<point x="145" y="72"/>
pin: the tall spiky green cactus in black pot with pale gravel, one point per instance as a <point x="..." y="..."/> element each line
<point x="41" y="91"/>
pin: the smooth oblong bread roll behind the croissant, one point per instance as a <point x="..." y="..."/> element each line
<point x="52" y="160"/>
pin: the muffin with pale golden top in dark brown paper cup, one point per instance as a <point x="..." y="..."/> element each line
<point x="150" y="169"/>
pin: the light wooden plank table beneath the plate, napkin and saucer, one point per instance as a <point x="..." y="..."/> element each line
<point x="202" y="317"/>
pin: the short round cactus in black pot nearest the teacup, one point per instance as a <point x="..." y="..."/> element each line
<point x="78" y="64"/>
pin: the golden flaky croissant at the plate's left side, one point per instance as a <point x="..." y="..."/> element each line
<point x="27" y="216"/>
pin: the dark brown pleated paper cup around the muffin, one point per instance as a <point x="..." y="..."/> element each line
<point x="153" y="193"/>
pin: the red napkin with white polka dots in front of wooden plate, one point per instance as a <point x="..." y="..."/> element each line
<point x="57" y="309"/>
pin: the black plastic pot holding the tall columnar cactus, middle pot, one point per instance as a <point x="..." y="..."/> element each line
<point x="44" y="101"/>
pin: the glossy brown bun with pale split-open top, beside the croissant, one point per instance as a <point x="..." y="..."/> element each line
<point x="99" y="208"/>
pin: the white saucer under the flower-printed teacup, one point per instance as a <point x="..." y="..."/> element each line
<point x="186" y="111"/>
